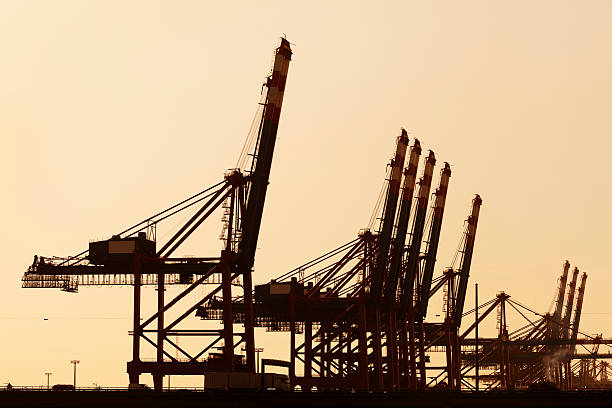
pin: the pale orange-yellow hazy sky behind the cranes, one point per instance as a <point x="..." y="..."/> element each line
<point x="113" y="110"/>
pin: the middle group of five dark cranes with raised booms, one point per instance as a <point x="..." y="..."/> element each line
<point x="356" y="315"/>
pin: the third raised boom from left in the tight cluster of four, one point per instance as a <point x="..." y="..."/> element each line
<point x="417" y="233"/>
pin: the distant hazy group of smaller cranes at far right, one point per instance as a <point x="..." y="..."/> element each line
<point x="542" y="351"/>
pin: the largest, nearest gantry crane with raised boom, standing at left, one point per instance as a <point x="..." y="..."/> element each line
<point x="131" y="257"/>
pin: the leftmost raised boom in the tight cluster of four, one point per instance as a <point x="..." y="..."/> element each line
<point x="384" y="238"/>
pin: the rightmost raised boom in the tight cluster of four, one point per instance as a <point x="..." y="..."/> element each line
<point x="433" y="240"/>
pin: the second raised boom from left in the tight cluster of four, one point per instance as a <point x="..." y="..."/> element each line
<point x="402" y="224"/>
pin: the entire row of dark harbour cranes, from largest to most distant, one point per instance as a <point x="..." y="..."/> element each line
<point x="356" y="315"/>
